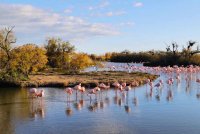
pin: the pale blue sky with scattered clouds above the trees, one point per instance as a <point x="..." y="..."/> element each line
<point x="99" y="26"/>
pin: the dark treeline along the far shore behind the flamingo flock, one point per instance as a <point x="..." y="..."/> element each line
<point x="189" y="55"/>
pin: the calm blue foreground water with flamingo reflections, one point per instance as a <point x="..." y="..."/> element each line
<point x="138" y="112"/>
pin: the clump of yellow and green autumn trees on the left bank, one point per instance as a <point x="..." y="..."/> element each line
<point x="17" y="63"/>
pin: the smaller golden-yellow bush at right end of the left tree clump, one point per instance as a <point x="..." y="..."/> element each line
<point x="81" y="61"/>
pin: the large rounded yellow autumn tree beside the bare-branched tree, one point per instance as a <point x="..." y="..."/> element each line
<point x="28" y="59"/>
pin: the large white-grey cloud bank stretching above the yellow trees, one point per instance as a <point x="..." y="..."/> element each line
<point x="35" y="22"/>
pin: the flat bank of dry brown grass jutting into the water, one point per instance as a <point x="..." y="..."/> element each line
<point x="90" y="79"/>
